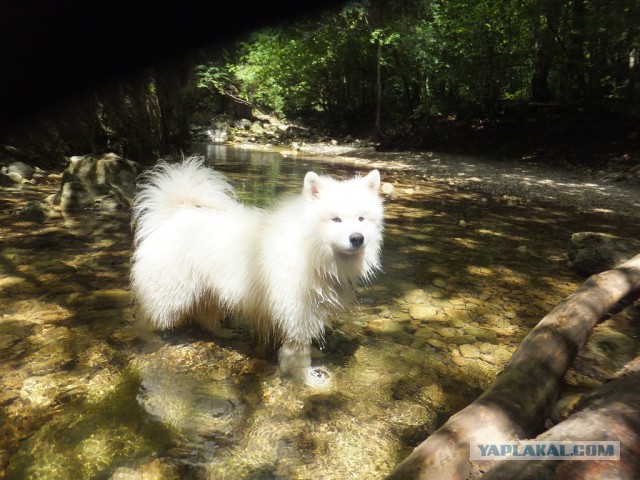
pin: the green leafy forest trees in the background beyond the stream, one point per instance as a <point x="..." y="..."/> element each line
<point x="399" y="61"/>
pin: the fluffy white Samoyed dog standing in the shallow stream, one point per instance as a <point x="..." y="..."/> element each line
<point x="200" y="255"/>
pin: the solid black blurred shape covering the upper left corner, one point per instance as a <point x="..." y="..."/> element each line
<point x="50" y="49"/>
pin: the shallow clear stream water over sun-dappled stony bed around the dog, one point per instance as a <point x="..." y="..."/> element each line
<point x="83" y="397"/>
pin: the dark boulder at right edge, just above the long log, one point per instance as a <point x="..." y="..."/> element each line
<point x="592" y="252"/>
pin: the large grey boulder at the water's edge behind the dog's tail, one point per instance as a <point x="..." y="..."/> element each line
<point x="103" y="182"/>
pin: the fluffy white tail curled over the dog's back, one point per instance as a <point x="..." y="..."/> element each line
<point x="168" y="187"/>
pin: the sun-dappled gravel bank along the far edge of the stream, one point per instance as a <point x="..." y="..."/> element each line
<point x="579" y="188"/>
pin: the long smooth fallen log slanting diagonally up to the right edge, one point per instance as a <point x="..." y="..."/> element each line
<point x="517" y="404"/>
